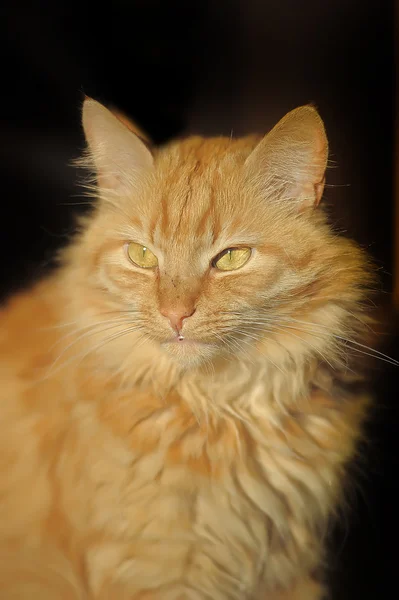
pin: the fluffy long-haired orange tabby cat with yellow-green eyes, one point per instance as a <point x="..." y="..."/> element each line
<point x="180" y="398"/>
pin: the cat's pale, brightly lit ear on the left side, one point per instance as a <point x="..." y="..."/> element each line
<point x="120" y="157"/>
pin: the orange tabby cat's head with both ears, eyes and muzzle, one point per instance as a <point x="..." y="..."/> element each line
<point x="217" y="247"/>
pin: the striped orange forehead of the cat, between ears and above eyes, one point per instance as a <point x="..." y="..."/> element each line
<point x="197" y="194"/>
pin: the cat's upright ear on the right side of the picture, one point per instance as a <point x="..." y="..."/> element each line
<point x="291" y="160"/>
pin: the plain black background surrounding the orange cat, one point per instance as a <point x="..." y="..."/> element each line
<point x="215" y="68"/>
